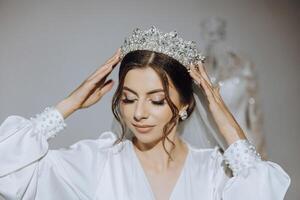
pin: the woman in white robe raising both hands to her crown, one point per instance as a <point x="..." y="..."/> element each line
<point x="153" y="97"/>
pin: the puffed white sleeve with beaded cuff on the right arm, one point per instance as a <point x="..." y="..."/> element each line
<point x="253" y="178"/>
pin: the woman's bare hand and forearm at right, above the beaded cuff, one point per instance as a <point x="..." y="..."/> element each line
<point x="222" y="116"/>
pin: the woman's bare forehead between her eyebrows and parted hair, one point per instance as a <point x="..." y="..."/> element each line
<point x="143" y="80"/>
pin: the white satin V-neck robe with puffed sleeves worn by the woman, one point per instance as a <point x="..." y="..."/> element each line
<point x="95" y="169"/>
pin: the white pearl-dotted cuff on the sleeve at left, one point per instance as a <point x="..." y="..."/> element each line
<point x="49" y="122"/>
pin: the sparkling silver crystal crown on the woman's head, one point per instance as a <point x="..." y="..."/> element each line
<point x="167" y="43"/>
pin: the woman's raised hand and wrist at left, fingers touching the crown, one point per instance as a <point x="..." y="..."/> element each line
<point x="91" y="90"/>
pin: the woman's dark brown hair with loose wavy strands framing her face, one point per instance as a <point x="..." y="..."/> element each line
<point x="165" y="66"/>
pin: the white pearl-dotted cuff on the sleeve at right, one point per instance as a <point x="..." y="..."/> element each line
<point x="240" y="156"/>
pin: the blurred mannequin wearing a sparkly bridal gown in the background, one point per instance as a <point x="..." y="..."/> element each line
<point x="237" y="80"/>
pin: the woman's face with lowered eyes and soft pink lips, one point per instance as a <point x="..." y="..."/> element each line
<point x="143" y="103"/>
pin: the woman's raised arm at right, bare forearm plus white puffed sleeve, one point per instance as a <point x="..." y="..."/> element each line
<point x="253" y="178"/>
